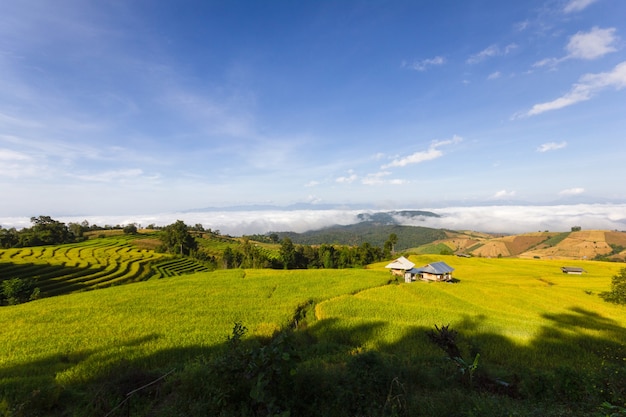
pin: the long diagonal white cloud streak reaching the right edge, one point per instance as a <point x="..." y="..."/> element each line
<point x="585" y="89"/>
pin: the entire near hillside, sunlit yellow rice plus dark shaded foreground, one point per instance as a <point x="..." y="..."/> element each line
<point x="358" y="344"/>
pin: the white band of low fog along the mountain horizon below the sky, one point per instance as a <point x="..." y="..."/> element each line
<point x="499" y="219"/>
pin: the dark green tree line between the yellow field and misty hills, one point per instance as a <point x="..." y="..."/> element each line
<point x="179" y="239"/>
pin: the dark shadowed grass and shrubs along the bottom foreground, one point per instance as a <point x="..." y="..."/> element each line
<point x="572" y="366"/>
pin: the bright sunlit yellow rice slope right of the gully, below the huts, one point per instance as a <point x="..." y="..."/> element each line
<point x="515" y="299"/>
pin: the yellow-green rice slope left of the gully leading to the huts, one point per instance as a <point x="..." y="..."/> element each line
<point x="72" y="339"/>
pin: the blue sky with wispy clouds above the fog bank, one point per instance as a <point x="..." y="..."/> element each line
<point x="125" y="107"/>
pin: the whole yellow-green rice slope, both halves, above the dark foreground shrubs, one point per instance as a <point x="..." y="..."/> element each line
<point x="520" y="314"/>
